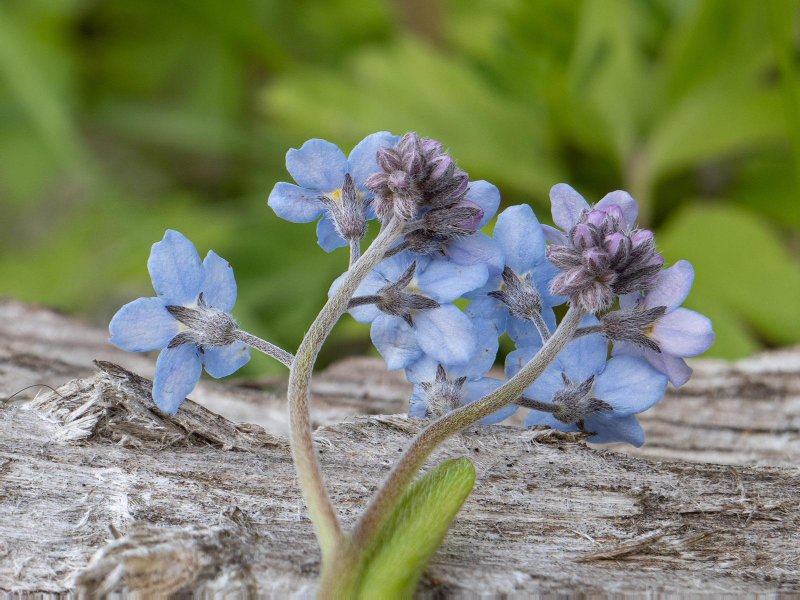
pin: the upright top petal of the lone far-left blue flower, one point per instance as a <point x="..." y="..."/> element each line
<point x="175" y="269"/>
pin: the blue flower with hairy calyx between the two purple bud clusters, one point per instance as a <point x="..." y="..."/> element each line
<point x="516" y="299"/>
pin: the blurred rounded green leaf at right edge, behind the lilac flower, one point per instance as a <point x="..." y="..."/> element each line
<point x="746" y="282"/>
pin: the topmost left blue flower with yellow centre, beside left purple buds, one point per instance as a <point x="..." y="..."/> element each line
<point x="322" y="171"/>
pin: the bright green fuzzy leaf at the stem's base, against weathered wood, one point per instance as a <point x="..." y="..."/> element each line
<point x="415" y="530"/>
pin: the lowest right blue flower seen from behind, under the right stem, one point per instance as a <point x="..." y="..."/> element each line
<point x="583" y="391"/>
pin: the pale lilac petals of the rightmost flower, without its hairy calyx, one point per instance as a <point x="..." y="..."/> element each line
<point x="679" y="333"/>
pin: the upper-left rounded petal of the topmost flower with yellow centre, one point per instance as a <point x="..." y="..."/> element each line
<point x="317" y="165"/>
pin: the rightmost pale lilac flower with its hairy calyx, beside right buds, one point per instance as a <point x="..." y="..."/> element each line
<point x="655" y="327"/>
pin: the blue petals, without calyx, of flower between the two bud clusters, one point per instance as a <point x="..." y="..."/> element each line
<point x="522" y="244"/>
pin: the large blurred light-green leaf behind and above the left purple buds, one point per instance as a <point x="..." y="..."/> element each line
<point x="412" y="87"/>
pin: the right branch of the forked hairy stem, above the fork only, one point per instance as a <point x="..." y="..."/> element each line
<point x="434" y="434"/>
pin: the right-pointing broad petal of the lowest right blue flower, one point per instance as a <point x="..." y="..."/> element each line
<point x="630" y="385"/>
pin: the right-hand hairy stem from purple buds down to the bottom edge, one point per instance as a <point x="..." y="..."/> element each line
<point x="340" y="575"/>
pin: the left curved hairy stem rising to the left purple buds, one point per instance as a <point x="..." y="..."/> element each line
<point x="309" y="474"/>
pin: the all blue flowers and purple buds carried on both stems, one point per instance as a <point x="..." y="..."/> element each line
<point x="442" y="294"/>
